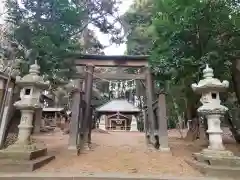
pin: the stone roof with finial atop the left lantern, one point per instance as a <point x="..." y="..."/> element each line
<point x="33" y="78"/>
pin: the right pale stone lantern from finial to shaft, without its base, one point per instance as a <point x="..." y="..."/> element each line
<point x="209" y="88"/>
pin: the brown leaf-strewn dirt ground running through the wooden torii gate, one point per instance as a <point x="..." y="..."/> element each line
<point x="123" y="152"/>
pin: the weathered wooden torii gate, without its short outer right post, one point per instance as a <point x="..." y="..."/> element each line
<point x="81" y="122"/>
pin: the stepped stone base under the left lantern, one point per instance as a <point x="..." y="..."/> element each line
<point x="17" y="158"/>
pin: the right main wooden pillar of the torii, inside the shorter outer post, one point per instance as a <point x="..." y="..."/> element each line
<point x="150" y="96"/>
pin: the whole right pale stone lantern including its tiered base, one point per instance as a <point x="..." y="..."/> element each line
<point x="215" y="159"/>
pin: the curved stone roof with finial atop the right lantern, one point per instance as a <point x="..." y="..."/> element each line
<point x="209" y="83"/>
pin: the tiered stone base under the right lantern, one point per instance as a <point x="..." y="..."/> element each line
<point x="216" y="163"/>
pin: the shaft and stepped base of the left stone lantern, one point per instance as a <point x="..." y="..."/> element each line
<point x="25" y="154"/>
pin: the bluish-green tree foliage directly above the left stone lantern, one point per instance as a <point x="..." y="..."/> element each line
<point x="46" y="30"/>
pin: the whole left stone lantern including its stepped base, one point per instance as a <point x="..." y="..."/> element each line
<point x="25" y="150"/>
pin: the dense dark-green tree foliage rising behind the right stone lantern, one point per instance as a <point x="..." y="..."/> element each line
<point x="189" y="34"/>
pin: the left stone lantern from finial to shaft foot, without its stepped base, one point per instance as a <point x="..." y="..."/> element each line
<point x="31" y="87"/>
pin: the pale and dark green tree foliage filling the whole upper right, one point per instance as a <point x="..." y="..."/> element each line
<point x="182" y="36"/>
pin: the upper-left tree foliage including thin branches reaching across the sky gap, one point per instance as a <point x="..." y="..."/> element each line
<point x="51" y="30"/>
